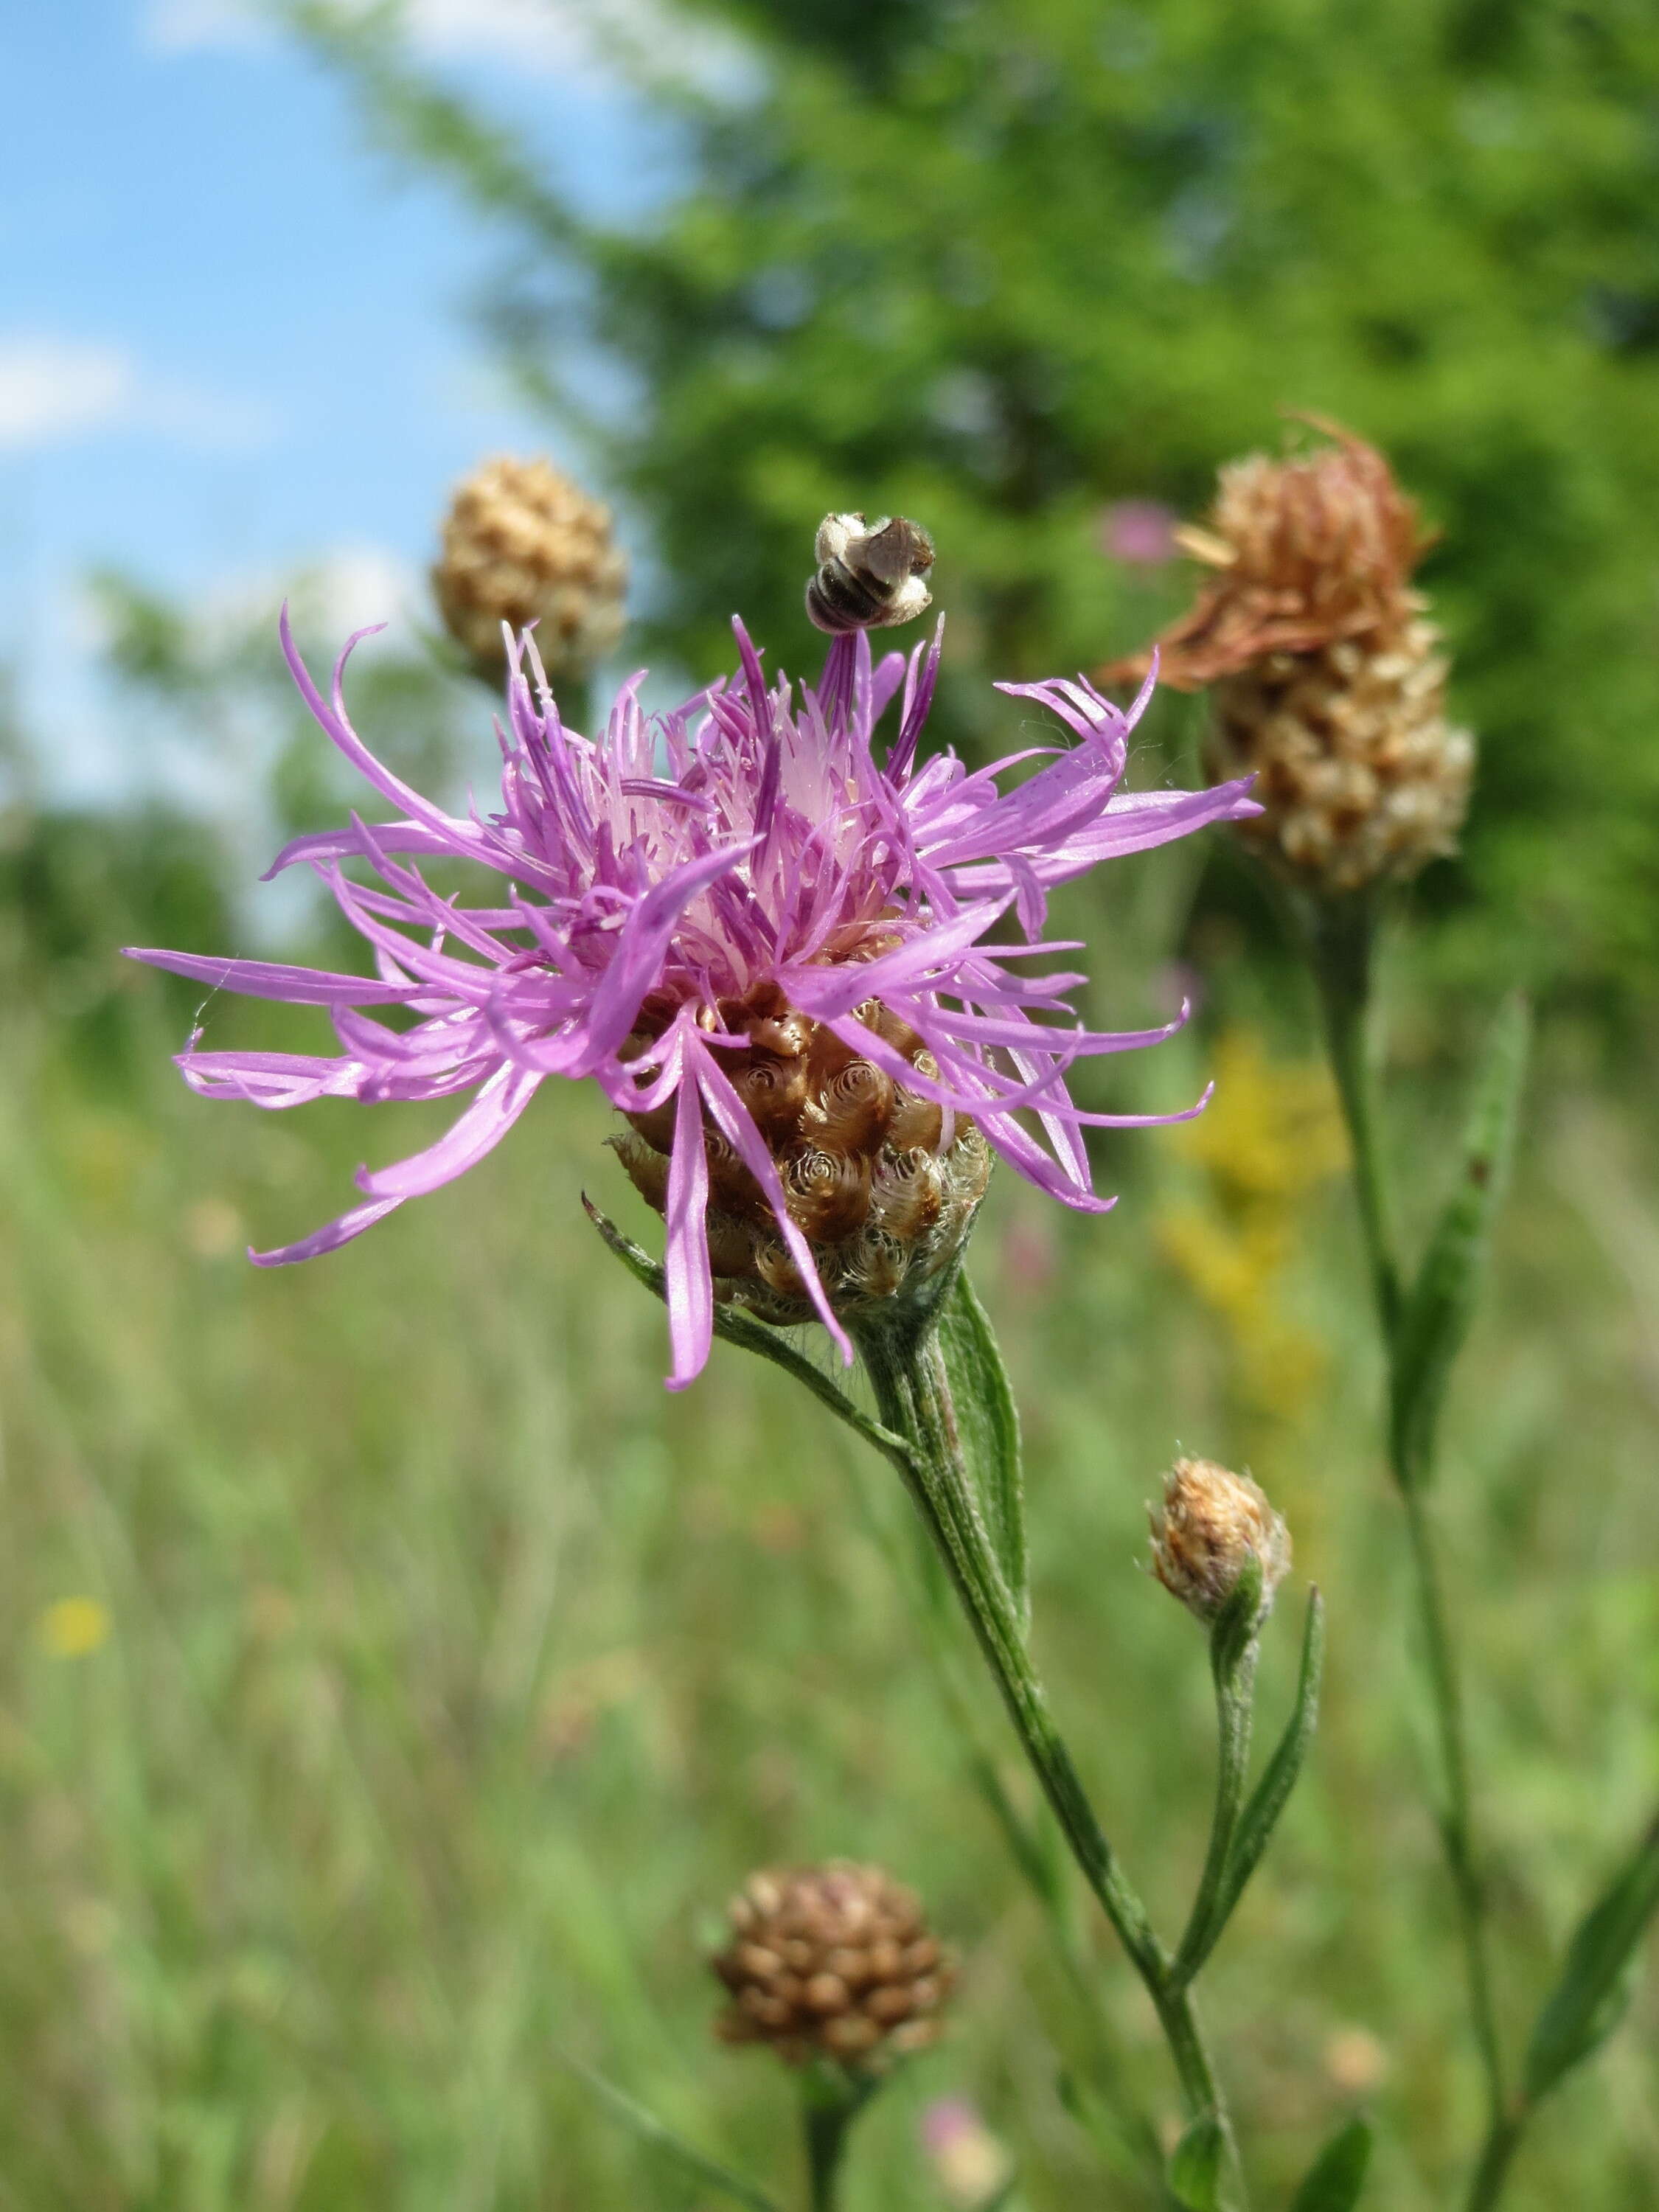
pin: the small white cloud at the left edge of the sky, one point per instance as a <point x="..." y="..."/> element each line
<point x="54" y="390"/>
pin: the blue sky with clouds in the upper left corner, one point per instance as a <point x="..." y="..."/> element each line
<point x="233" y="337"/>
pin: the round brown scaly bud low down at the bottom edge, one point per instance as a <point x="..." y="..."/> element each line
<point x="833" y="1963"/>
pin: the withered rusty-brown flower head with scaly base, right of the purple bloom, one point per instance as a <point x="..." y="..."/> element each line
<point x="1324" y="674"/>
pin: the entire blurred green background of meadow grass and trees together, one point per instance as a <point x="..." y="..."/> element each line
<point x="395" y="1678"/>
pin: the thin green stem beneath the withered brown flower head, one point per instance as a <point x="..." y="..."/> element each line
<point x="1339" y="941"/>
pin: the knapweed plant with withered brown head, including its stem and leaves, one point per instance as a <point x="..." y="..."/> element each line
<point x="1328" y="685"/>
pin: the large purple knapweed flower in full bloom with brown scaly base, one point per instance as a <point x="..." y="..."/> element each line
<point x="771" y="950"/>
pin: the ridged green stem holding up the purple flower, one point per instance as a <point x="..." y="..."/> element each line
<point x="912" y="1395"/>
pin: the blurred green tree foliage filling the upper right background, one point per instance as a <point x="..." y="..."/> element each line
<point x="1003" y="262"/>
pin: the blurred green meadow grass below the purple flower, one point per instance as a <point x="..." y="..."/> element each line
<point x="455" y="1671"/>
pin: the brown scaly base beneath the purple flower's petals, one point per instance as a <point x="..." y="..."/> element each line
<point x="881" y="1182"/>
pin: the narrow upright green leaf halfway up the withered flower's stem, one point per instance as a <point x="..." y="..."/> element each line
<point x="1443" y="1300"/>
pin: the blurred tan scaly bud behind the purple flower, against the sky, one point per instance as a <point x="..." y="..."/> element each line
<point x="523" y="545"/>
